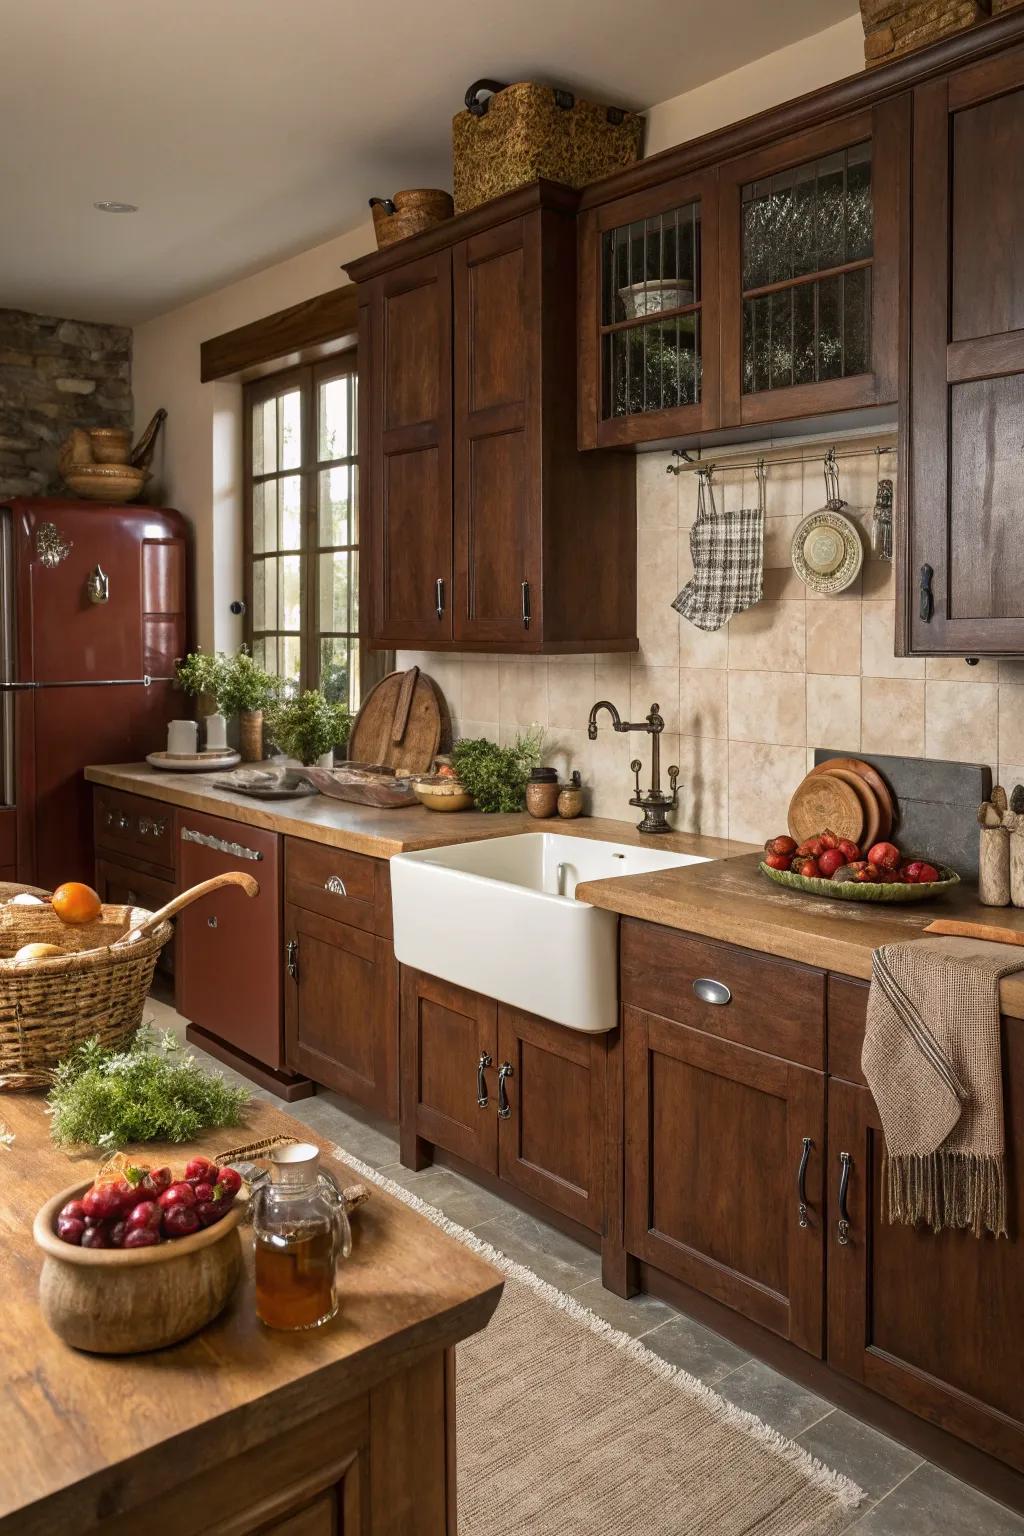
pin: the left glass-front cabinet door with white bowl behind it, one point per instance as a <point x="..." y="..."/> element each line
<point x="649" y="316"/>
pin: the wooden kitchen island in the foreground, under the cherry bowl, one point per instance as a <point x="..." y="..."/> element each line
<point x="239" y="1429"/>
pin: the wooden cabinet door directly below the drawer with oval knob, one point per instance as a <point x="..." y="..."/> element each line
<point x="724" y="1173"/>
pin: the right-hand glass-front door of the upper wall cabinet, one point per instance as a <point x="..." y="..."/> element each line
<point x="811" y="257"/>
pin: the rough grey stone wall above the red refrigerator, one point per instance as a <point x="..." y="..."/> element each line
<point x="56" y="376"/>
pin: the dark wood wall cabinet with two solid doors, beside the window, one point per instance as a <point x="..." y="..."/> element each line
<point x="477" y="505"/>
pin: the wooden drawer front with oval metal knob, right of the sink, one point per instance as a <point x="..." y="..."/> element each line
<point x="770" y="1005"/>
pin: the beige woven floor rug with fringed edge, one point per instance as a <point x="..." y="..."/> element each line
<point x="567" y="1428"/>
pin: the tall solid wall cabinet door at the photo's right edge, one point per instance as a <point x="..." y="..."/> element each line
<point x="963" y="555"/>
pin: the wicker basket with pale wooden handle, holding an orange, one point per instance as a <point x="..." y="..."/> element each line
<point x="96" y="988"/>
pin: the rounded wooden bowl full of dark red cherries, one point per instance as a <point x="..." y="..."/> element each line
<point x="139" y="1259"/>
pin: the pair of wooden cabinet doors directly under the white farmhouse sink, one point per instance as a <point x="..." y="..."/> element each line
<point x="509" y="1093"/>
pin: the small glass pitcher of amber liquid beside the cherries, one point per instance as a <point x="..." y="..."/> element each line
<point x="302" y="1234"/>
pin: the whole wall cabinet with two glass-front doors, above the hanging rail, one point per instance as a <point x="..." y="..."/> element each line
<point x="764" y="290"/>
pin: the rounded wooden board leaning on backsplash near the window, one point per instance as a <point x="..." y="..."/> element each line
<point x="405" y="723"/>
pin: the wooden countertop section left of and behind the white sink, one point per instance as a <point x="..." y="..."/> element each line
<point x="369" y="830"/>
